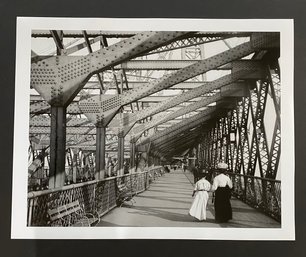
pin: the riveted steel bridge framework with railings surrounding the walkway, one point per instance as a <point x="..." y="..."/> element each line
<point x="109" y="105"/>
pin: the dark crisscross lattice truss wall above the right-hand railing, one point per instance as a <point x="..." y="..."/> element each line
<point x="248" y="138"/>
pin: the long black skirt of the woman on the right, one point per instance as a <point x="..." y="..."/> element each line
<point x="223" y="208"/>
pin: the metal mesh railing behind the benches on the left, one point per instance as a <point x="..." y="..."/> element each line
<point x="94" y="196"/>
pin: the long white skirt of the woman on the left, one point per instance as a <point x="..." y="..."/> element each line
<point x="198" y="207"/>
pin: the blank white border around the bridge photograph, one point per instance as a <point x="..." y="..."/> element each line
<point x="25" y="25"/>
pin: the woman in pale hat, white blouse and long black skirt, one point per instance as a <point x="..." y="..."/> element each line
<point x="222" y="185"/>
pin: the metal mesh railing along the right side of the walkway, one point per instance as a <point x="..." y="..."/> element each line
<point x="261" y="193"/>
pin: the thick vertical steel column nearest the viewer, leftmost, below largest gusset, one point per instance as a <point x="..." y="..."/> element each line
<point x="57" y="147"/>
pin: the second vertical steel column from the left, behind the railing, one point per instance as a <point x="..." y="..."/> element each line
<point x="100" y="152"/>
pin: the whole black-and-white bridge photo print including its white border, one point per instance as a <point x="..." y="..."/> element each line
<point x="153" y="128"/>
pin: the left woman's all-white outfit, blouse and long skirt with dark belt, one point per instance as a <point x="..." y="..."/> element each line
<point x="198" y="207"/>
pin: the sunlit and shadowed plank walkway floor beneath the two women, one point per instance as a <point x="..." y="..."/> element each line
<point x="166" y="204"/>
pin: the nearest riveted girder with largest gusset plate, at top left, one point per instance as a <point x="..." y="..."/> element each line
<point x="58" y="79"/>
